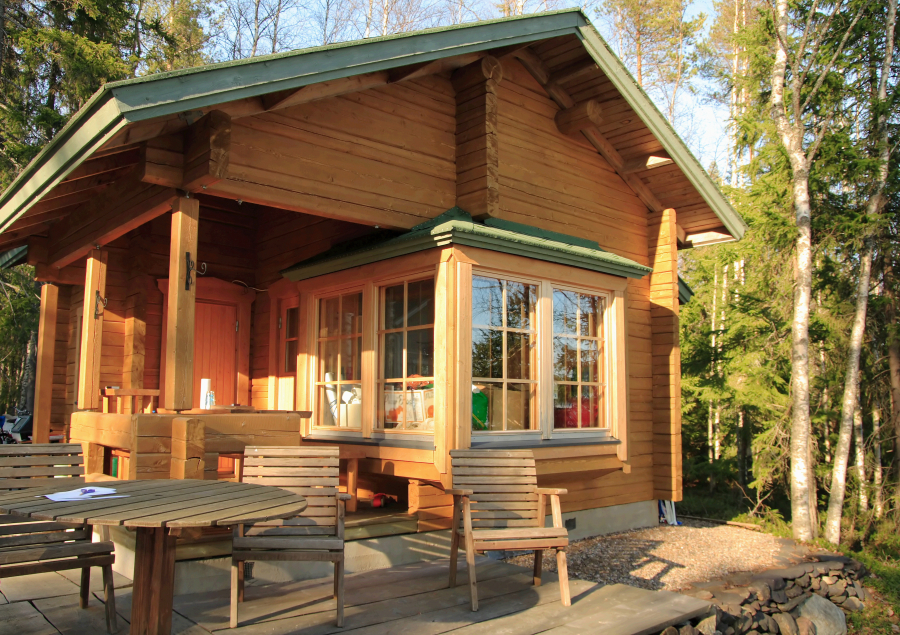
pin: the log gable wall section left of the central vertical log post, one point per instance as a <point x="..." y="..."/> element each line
<point x="381" y="156"/>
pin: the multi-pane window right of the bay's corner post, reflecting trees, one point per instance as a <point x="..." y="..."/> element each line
<point x="504" y="355"/>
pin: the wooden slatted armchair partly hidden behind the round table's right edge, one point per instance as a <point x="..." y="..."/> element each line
<point x="316" y="535"/>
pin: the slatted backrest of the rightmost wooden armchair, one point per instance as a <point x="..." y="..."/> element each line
<point x="502" y="483"/>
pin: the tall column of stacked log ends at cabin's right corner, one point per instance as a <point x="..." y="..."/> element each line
<point x="666" y="364"/>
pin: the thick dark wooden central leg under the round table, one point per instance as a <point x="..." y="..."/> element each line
<point x="154" y="582"/>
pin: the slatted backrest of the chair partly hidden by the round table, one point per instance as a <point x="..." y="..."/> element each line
<point x="311" y="471"/>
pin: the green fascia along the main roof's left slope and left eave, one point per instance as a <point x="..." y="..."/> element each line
<point x="119" y="104"/>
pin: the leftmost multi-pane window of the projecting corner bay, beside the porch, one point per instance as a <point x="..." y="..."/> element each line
<point x="339" y="366"/>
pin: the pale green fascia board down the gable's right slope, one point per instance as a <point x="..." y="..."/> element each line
<point x="613" y="68"/>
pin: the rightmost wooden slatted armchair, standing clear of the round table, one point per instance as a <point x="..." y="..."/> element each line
<point x="497" y="506"/>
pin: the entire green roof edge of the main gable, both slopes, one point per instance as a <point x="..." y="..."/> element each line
<point x="118" y="104"/>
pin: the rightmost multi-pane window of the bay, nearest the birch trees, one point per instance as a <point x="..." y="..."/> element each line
<point x="579" y="381"/>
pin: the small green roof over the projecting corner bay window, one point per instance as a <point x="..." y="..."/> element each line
<point x="455" y="226"/>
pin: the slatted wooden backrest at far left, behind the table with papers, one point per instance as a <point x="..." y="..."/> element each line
<point x="32" y="465"/>
